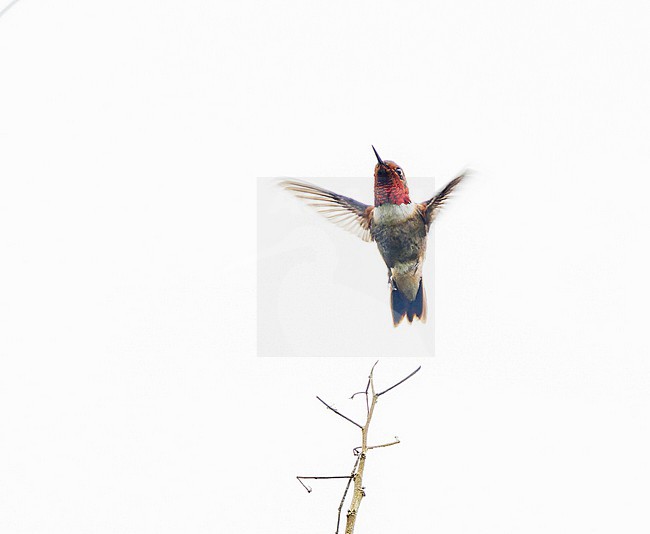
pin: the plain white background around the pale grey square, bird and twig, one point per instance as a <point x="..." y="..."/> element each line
<point x="132" y="134"/>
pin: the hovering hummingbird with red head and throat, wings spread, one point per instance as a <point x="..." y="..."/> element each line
<point x="398" y="226"/>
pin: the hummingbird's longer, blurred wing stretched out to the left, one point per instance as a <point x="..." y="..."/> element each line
<point x="346" y="212"/>
